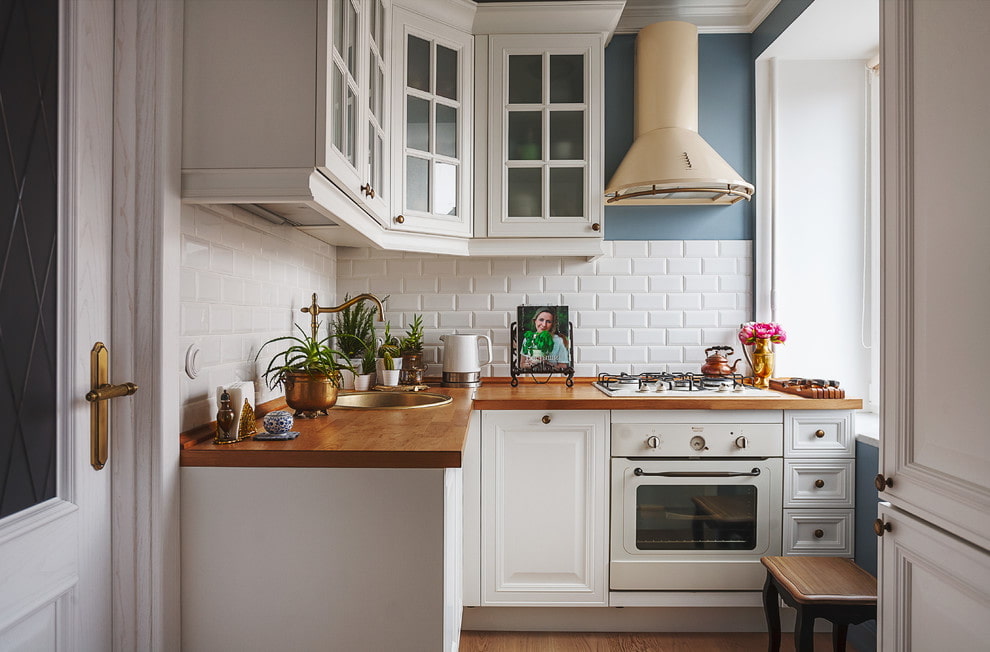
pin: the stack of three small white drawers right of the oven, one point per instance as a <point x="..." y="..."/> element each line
<point x="819" y="483"/>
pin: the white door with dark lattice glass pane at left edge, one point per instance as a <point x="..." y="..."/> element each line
<point x="55" y="529"/>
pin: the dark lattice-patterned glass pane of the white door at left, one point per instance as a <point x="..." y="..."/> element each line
<point x="28" y="248"/>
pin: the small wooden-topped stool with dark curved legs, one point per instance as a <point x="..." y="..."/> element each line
<point x="832" y="588"/>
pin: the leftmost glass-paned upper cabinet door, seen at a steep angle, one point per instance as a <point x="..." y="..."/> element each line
<point x="356" y="152"/>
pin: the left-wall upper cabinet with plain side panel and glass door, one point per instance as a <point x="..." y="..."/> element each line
<point x="273" y="92"/>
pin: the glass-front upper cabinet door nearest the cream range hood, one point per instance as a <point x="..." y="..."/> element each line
<point x="545" y="136"/>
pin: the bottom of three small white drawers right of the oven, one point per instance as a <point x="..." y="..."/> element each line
<point x="819" y="532"/>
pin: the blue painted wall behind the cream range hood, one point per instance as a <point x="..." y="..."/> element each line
<point x="726" y="118"/>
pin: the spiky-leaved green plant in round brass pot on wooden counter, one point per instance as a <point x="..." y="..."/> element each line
<point x="309" y="369"/>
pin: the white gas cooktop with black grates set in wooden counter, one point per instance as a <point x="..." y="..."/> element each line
<point x="678" y="385"/>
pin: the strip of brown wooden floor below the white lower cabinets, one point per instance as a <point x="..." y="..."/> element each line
<point x="631" y="642"/>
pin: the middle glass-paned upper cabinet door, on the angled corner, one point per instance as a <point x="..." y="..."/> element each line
<point x="431" y="156"/>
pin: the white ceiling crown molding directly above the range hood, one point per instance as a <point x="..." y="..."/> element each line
<point x="711" y="16"/>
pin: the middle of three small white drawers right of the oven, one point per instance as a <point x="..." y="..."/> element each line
<point x="819" y="484"/>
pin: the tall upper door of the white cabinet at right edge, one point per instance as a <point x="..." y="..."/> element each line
<point x="935" y="449"/>
